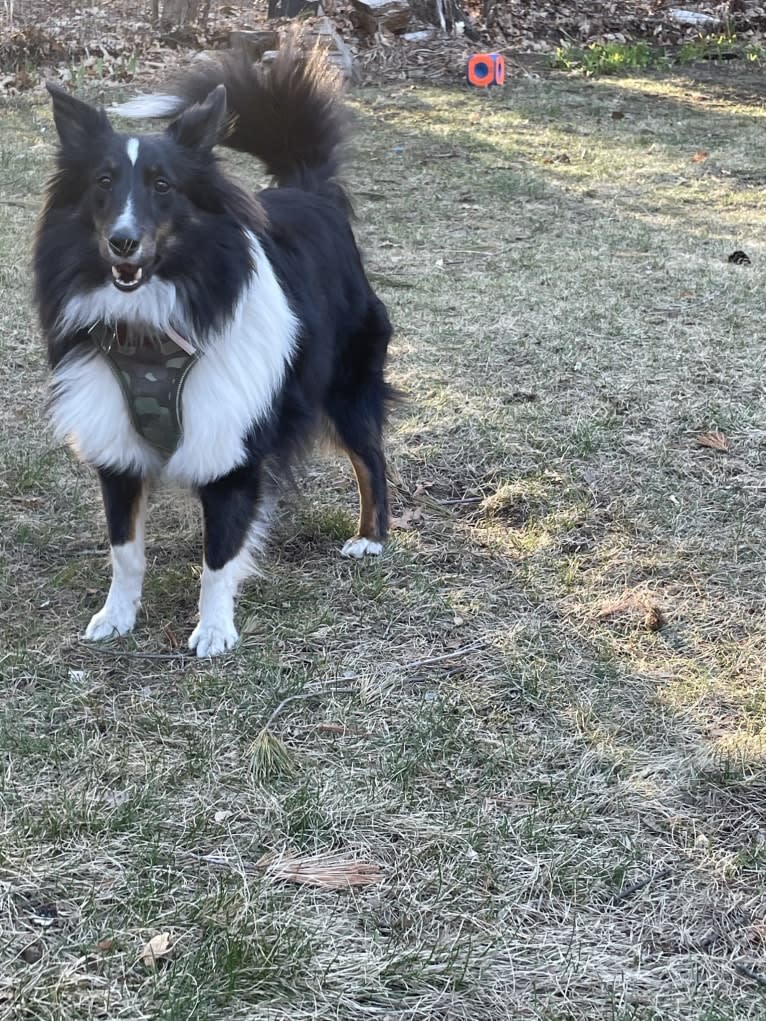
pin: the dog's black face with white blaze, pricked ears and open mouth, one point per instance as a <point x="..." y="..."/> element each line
<point x="134" y="193"/>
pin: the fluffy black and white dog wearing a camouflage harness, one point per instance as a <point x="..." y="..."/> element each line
<point x="202" y="334"/>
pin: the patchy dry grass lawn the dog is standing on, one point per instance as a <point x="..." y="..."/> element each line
<point x="507" y="790"/>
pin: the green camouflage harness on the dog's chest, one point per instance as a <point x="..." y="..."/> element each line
<point x="152" y="371"/>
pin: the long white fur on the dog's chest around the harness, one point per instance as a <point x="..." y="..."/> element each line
<point x="230" y="390"/>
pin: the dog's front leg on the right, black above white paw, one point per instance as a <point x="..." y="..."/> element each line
<point x="235" y="510"/>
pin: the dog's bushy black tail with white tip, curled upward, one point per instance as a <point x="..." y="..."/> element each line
<point x="289" y="115"/>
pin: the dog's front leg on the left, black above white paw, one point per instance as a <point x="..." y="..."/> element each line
<point x="125" y="505"/>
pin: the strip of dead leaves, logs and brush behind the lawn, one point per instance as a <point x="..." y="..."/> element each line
<point x="377" y="40"/>
